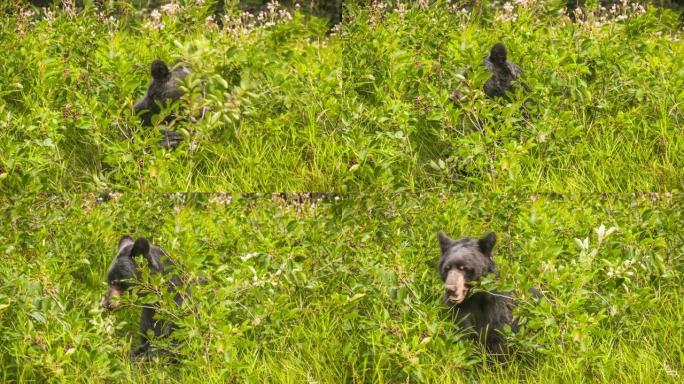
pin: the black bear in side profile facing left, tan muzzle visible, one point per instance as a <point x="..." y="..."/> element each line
<point x="123" y="273"/>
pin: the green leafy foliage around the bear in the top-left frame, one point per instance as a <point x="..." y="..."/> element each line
<point x="66" y="118"/>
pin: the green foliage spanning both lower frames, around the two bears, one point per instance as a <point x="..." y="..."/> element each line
<point x="345" y="289"/>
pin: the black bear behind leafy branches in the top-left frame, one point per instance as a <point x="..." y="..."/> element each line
<point x="163" y="91"/>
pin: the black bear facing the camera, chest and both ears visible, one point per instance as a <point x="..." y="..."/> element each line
<point x="484" y="314"/>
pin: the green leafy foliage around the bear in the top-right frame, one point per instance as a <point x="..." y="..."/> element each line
<point x="605" y="113"/>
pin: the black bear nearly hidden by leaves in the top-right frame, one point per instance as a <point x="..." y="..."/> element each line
<point x="503" y="73"/>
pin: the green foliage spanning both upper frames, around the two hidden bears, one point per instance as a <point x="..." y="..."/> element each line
<point x="366" y="108"/>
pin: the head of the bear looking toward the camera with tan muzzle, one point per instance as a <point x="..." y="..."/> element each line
<point x="463" y="261"/>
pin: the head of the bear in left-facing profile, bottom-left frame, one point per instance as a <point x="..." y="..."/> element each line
<point x="124" y="271"/>
